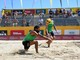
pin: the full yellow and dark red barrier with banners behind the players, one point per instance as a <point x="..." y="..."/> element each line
<point x="18" y="33"/>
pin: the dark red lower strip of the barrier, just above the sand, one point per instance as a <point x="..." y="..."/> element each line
<point x="58" y="37"/>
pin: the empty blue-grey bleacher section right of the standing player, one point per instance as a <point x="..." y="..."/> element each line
<point x="66" y="22"/>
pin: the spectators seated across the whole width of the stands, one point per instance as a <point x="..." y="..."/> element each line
<point x="12" y="19"/>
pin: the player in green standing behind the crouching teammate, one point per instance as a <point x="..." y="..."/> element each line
<point x="49" y="30"/>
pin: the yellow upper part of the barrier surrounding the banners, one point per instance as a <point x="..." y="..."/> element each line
<point x="27" y="29"/>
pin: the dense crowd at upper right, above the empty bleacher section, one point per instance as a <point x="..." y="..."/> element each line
<point x="64" y="13"/>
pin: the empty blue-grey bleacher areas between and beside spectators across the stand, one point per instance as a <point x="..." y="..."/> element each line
<point x="57" y="21"/>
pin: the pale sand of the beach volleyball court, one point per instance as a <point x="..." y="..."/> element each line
<point x="59" y="50"/>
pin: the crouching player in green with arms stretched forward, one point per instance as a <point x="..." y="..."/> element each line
<point x="30" y="39"/>
